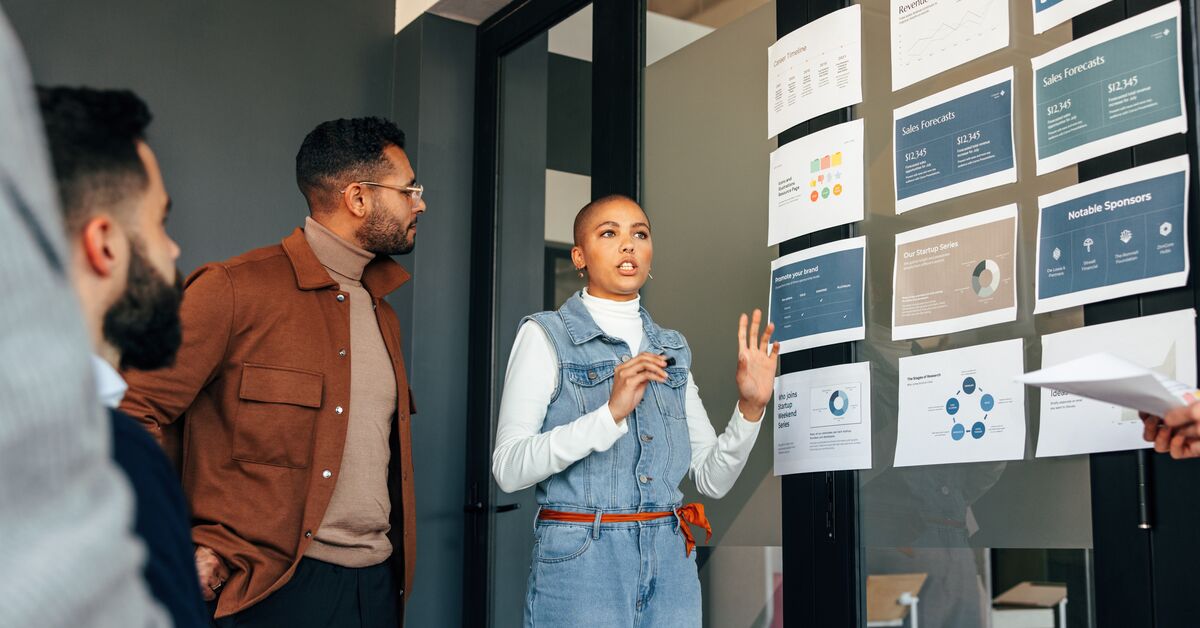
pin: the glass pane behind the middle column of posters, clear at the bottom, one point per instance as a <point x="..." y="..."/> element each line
<point x="975" y="530"/>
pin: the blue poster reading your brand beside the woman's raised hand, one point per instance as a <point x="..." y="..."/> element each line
<point x="817" y="296"/>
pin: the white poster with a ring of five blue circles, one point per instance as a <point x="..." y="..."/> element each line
<point x="962" y="406"/>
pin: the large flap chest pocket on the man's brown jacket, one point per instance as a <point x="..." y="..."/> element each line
<point x="277" y="416"/>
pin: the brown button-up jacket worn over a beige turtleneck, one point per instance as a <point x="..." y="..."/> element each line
<point x="261" y="392"/>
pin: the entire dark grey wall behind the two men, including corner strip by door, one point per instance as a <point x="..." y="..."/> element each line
<point x="235" y="88"/>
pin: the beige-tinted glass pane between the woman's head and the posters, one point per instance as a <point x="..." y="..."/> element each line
<point x="706" y="155"/>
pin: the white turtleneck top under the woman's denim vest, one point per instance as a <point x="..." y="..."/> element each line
<point x="524" y="456"/>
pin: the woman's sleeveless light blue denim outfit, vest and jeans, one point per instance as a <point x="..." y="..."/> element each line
<point x="615" y="575"/>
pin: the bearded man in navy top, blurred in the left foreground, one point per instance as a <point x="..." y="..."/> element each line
<point x="123" y="270"/>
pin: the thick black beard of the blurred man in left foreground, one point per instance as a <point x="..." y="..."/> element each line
<point x="145" y="325"/>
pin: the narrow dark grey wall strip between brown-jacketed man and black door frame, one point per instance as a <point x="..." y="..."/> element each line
<point x="435" y="104"/>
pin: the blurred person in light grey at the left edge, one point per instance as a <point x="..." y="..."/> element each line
<point x="70" y="557"/>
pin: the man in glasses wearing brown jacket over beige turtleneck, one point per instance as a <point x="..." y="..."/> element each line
<point x="292" y="398"/>
